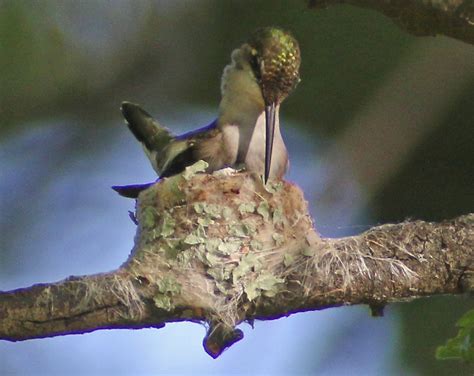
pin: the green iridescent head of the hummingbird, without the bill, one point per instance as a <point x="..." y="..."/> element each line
<point x="275" y="60"/>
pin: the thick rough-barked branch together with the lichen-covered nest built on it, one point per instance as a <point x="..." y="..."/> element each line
<point x="226" y="249"/>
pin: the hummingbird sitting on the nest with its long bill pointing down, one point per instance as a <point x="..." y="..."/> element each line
<point x="262" y="73"/>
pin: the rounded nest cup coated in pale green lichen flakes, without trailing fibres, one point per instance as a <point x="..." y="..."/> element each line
<point x="219" y="243"/>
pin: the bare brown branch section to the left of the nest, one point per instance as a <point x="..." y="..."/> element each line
<point x="75" y="305"/>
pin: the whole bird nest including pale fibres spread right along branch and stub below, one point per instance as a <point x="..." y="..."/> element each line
<point x="223" y="249"/>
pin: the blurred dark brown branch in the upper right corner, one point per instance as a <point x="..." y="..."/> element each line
<point x="453" y="18"/>
